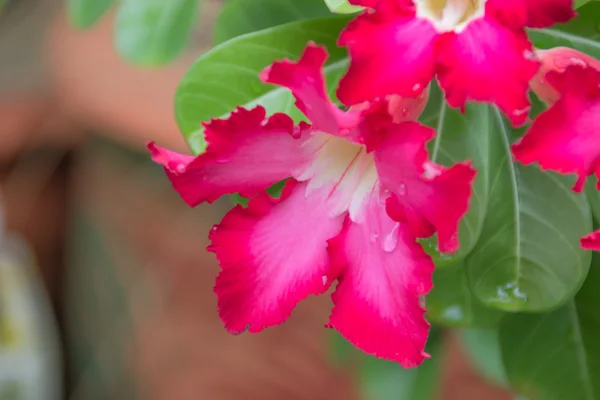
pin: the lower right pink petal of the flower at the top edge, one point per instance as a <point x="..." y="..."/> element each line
<point x="487" y="62"/>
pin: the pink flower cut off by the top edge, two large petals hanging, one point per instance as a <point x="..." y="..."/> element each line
<point x="478" y="49"/>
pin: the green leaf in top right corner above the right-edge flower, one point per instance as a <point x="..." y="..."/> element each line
<point x="581" y="33"/>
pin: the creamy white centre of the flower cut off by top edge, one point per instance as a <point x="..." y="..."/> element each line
<point x="450" y="15"/>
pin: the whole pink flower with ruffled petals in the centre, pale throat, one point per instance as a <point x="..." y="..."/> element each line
<point x="331" y="221"/>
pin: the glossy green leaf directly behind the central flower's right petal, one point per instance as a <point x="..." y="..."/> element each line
<point x="460" y="137"/>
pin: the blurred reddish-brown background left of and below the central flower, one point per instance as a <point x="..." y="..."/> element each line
<point x="105" y="284"/>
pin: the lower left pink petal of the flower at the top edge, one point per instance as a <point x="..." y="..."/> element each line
<point x="391" y="52"/>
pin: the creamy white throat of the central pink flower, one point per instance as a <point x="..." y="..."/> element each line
<point x="342" y="168"/>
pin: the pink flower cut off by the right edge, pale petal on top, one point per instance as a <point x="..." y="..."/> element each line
<point x="566" y="137"/>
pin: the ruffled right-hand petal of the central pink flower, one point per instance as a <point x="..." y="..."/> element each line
<point x="429" y="197"/>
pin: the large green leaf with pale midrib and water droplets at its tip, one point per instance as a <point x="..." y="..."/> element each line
<point x="528" y="257"/>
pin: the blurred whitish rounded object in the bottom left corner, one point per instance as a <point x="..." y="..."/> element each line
<point x="30" y="365"/>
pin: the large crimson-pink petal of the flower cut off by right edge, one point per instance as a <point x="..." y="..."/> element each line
<point x="566" y="137"/>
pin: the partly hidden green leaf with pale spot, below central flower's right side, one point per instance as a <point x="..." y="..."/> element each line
<point x="451" y="302"/>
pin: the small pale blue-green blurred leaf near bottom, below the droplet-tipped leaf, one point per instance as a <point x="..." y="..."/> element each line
<point x="483" y="349"/>
